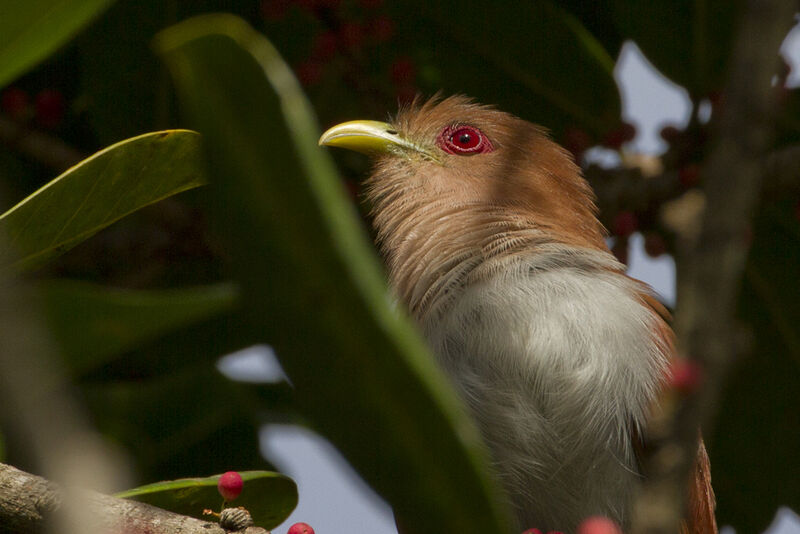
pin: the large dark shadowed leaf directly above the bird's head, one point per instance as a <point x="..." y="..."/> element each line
<point x="553" y="70"/>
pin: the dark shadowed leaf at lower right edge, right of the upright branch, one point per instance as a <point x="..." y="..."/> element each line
<point x="757" y="436"/>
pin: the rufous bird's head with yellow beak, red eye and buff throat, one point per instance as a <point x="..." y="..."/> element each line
<point x="457" y="184"/>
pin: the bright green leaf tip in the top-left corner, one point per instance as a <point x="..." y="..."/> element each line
<point x="31" y="30"/>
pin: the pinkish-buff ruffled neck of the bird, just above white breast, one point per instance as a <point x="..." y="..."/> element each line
<point x="434" y="249"/>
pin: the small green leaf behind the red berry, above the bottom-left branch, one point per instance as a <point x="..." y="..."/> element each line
<point x="269" y="497"/>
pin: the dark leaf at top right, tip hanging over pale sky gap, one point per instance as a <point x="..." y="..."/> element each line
<point x="689" y="41"/>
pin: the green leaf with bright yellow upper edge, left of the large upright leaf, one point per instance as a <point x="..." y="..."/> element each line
<point x="98" y="191"/>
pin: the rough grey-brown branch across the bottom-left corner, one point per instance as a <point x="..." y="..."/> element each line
<point x="27" y="503"/>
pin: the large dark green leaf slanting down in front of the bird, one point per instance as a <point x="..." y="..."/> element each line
<point x="312" y="283"/>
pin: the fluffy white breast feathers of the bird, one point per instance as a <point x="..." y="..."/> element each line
<point x="554" y="352"/>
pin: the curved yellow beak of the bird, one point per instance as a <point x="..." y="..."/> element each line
<point x="368" y="137"/>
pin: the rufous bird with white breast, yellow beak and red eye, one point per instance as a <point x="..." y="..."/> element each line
<point x="492" y="242"/>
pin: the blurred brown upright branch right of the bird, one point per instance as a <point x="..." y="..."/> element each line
<point x="711" y="264"/>
